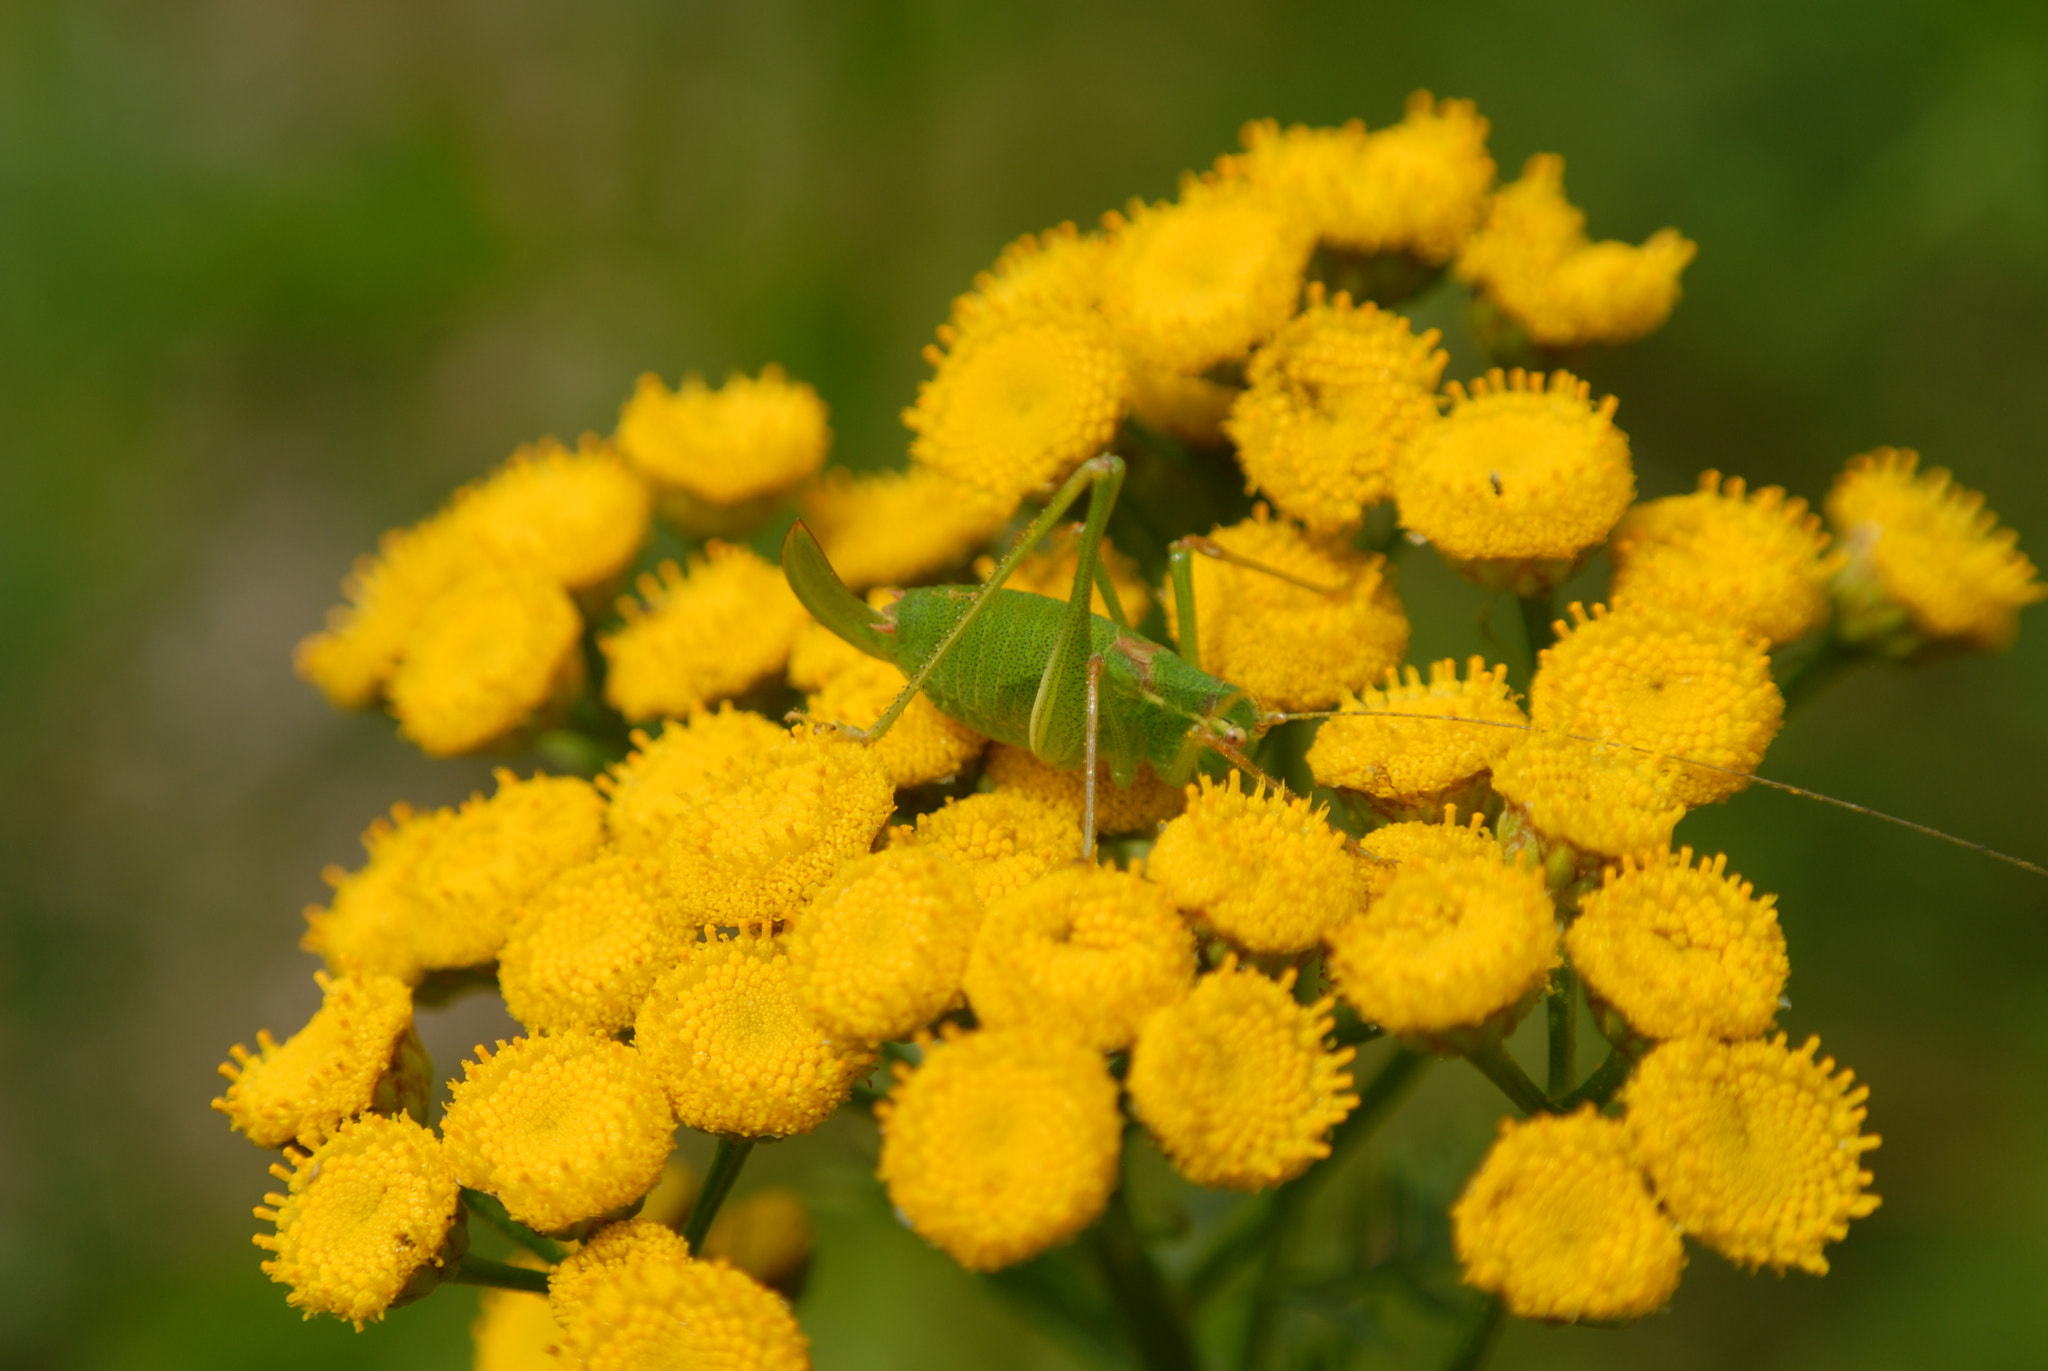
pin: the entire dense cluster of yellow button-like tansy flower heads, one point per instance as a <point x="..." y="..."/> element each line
<point x="751" y="921"/>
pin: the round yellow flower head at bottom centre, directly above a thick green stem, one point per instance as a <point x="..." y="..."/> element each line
<point x="1000" y="1145"/>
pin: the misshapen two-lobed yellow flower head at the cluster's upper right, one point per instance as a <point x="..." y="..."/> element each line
<point x="1535" y="263"/>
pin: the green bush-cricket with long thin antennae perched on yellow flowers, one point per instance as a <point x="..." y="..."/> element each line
<point x="1076" y="688"/>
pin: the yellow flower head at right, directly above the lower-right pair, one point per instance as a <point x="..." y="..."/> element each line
<point x="1680" y="950"/>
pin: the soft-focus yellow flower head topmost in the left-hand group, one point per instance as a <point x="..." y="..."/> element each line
<point x="724" y="452"/>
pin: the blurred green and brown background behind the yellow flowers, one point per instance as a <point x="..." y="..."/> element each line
<point x="278" y="276"/>
